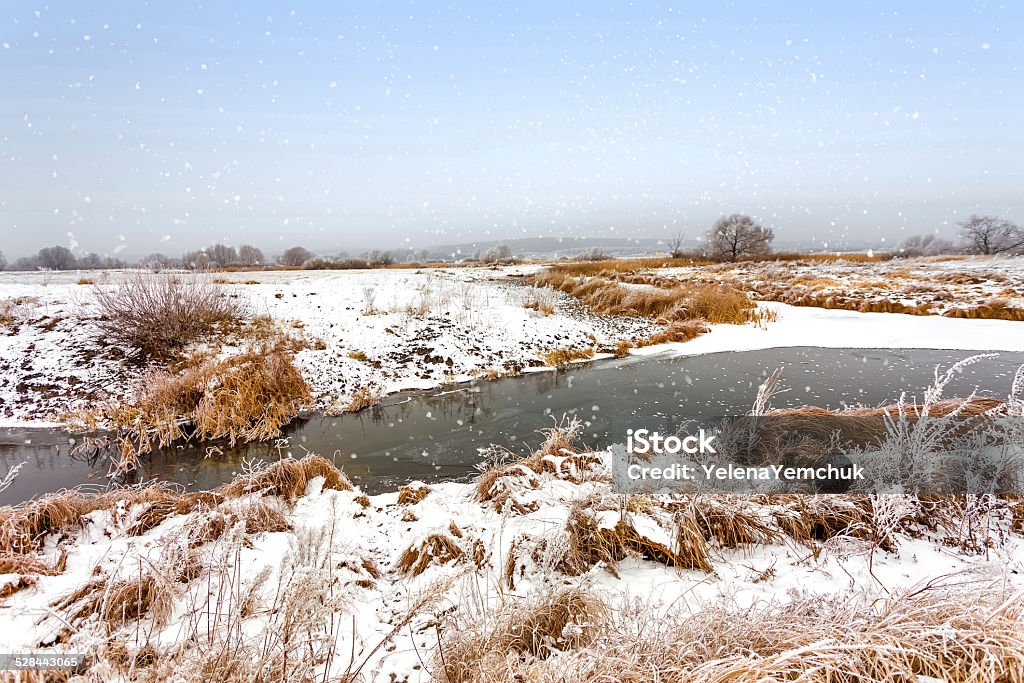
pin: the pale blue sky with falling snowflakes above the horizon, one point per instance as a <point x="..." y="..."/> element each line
<point x="135" y="127"/>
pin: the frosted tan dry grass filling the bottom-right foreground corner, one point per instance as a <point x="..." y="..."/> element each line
<point x="928" y="632"/>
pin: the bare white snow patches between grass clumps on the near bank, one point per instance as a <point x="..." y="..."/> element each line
<point x="381" y="532"/>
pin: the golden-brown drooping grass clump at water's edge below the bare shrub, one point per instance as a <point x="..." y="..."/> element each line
<point x="247" y="398"/>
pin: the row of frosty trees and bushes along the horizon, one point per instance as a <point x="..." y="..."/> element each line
<point x="733" y="238"/>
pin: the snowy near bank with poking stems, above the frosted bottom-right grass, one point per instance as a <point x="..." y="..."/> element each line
<point x="344" y="556"/>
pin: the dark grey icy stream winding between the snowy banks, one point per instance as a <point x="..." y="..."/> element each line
<point x="438" y="436"/>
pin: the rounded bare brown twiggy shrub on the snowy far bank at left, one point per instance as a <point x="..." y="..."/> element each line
<point x="159" y="315"/>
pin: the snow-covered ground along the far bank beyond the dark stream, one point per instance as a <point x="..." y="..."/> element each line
<point x="399" y="329"/>
